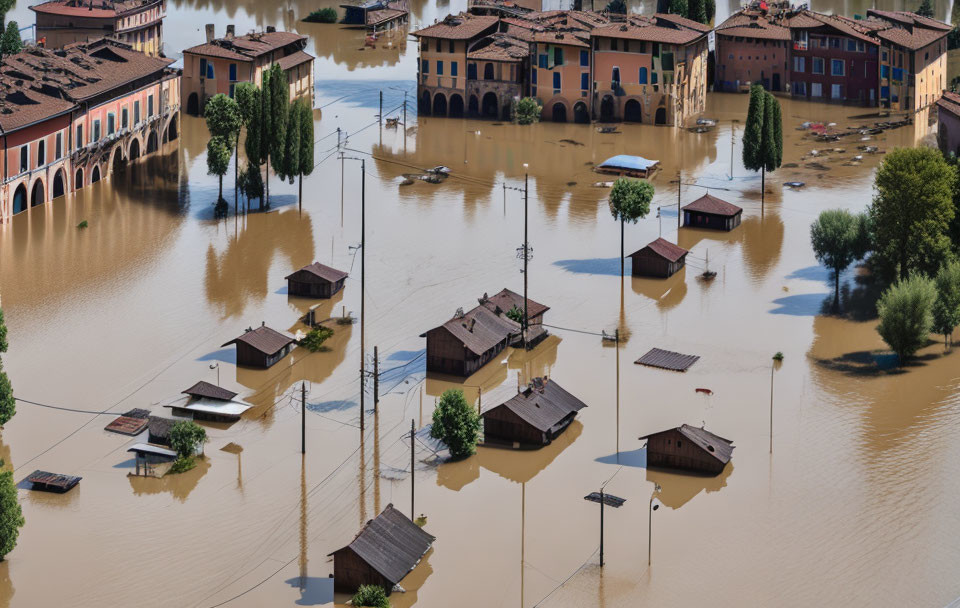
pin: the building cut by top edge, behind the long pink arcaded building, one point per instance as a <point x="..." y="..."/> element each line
<point x="138" y="23"/>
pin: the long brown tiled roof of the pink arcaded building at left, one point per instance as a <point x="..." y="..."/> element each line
<point x="38" y="83"/>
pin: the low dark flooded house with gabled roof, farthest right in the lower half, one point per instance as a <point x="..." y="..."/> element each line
<point x="689" y="448"/>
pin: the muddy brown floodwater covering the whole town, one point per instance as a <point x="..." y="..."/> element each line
<point x="855" y="506"/>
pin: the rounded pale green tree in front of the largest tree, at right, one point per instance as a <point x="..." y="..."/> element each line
<point x="906" y="315"/>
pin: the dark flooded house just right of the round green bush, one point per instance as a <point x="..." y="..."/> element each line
<point x="533" y="417"/>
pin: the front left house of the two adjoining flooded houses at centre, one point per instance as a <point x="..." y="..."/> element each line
<point x="468" y="341"/>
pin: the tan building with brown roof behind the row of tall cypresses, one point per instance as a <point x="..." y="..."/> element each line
<point x="220" y="63"/>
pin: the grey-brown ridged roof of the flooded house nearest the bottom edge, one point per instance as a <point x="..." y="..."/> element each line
<point x="391" y="544"/>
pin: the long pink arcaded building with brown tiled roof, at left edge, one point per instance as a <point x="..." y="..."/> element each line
<point x="59" y="136"/>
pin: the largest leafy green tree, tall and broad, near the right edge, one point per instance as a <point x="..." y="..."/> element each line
<point x="911" y="212"/>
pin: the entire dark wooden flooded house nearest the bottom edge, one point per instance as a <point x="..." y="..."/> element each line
<point x="382" y="553"/>
